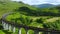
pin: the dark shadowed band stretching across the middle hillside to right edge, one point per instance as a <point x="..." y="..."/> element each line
<point x="29" y="12"/>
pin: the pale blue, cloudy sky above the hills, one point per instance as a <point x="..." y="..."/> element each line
<point x="36" y="2"/>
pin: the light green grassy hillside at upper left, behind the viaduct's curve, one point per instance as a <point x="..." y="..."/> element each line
<point x="8" y="6"/>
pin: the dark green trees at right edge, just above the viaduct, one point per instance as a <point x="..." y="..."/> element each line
<point x="53" y="25"/>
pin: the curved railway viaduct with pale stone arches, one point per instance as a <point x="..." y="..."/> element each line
<point x="11" y="26"/>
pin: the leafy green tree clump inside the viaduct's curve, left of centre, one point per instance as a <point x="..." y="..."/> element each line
<point x="24" y="20"/>
